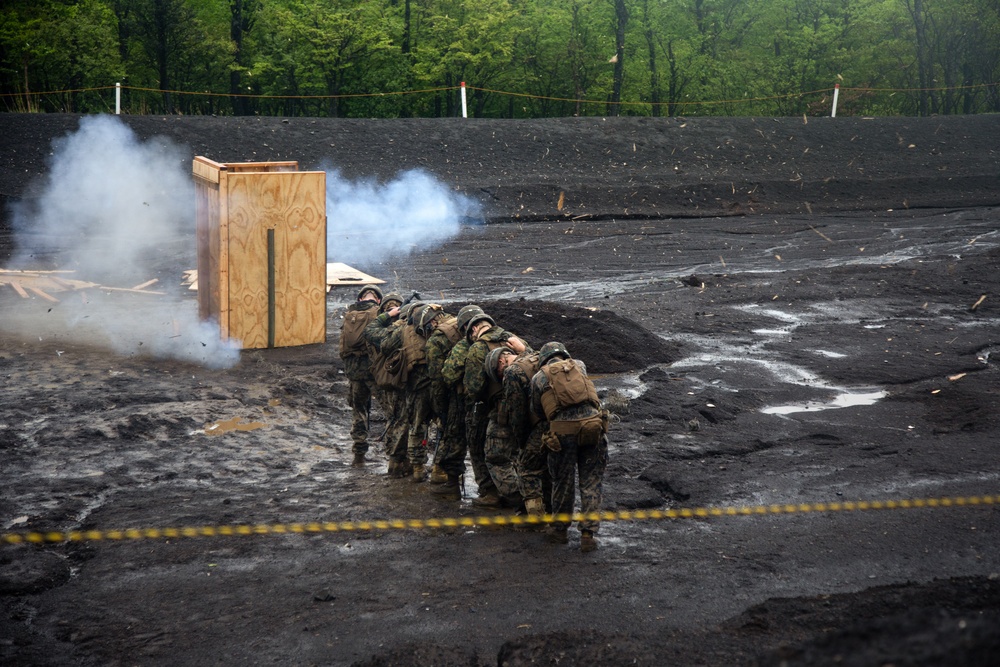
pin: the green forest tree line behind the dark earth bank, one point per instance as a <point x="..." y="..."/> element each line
<point x="520" y="58"/>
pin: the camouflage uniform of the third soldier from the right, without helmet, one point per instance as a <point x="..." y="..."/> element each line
<point x="489" y="445"/>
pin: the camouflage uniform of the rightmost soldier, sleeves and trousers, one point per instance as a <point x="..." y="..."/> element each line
<point x="564" y="465"/>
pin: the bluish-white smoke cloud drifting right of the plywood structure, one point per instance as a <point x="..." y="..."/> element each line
<point x="369" y="222"/>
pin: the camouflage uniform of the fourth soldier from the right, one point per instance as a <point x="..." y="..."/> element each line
<point x="443" y="399"/>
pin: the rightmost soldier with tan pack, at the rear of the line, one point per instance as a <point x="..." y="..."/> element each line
<point x="575" y="447"/>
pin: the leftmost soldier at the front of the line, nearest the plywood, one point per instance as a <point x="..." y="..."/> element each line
<point x="357" y="366"/>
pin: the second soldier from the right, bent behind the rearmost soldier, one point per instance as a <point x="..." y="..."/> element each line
<point x="530" y="456"/>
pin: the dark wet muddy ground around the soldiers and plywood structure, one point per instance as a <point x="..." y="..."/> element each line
<point x="781" y="311"/>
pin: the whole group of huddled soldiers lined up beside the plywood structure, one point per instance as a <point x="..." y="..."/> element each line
<point x="530" y="422"/>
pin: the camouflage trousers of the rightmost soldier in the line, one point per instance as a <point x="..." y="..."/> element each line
<point x="564" y="465"/>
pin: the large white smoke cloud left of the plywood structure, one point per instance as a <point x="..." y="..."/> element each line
<point x="109" y="208"/>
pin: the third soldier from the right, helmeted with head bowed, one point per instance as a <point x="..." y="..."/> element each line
<point x="481" y="400"/>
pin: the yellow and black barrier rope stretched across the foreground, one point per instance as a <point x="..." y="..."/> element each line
<point x="501" y="520"/>
